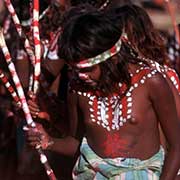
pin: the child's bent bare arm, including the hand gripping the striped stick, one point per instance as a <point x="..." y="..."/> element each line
<point x="67" y="145"/>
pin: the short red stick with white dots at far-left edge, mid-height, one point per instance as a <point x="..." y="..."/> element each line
<point x="10" y="88"/>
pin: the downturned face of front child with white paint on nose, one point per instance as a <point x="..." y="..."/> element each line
<point x="90" y="75"/>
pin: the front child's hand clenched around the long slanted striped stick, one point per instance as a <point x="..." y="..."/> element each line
<point x="38" y="138"/>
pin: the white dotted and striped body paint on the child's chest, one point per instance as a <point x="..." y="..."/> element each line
<point x="103" y="104"/>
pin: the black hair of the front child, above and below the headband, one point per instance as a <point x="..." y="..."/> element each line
<point x="89" y="34"/>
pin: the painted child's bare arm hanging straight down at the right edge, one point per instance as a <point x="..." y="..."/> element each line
<point x="165" y="108"/>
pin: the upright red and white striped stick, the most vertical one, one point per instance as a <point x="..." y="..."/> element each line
<point x="37" y="45"/>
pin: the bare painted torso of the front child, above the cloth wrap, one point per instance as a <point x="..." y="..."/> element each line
<point x="132" y="133"/>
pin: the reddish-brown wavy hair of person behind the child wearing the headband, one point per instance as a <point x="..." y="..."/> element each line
<point x="144" y="38"/>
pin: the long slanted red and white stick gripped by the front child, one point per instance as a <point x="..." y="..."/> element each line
<point x="22" y="98"/>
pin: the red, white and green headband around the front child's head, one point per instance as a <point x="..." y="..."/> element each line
<point x="103" y="56"/>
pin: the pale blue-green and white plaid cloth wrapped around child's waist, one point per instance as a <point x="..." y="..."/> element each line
<point x="90" y="166"/>
